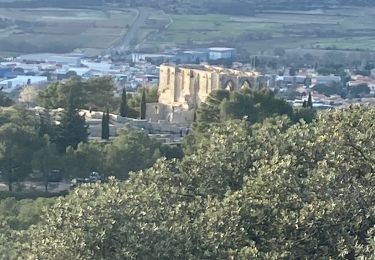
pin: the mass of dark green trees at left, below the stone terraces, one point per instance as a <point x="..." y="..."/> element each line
<point x="32" y="148"/>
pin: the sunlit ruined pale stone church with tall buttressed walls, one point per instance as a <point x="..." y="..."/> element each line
<point x="183" y="88"/>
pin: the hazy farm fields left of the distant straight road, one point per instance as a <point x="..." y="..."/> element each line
<point x="61" y="30"/>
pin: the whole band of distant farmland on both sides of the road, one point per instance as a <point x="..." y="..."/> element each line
<point x="52" y="29"/>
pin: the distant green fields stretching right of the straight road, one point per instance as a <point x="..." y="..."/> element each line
<point x="348" y="28"/>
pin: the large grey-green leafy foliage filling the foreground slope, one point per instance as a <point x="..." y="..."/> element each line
<point x="263" y="191"/>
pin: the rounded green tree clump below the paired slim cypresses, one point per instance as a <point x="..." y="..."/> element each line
<point x="132" y="150"/>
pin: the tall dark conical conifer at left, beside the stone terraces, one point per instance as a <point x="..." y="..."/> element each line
<point x="72" y="129"/>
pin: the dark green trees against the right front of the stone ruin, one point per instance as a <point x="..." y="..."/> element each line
<point x="252" y="105"/>
